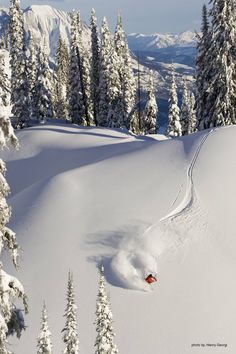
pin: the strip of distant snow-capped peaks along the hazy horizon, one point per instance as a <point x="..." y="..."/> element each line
<point x="156" y="41"/>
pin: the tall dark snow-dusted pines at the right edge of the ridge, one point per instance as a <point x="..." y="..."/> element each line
<point x="216" y="66"/>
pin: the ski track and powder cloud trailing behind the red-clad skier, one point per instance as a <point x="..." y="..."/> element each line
<point x="139" y="256"/>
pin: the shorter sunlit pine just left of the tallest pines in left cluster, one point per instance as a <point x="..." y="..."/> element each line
<point x="61" y="80"/>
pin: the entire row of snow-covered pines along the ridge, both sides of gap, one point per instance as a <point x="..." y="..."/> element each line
<point x="95" y="84"/>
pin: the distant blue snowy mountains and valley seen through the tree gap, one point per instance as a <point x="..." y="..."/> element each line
<point x="158" y="51"/>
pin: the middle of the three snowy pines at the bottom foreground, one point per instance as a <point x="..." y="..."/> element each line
<point x="70" y="336"/>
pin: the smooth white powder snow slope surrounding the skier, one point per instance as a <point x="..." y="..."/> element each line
<point x="139" y="205"/>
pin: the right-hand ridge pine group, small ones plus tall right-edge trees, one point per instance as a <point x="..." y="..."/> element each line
<point x="214" y="103"/>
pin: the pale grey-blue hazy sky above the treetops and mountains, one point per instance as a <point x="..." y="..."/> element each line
<point x="145" y="16"/>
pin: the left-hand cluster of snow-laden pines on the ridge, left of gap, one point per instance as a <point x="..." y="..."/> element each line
<point x="91" y="85"/>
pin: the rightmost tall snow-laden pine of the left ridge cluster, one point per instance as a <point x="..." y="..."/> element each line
<point x="128" y="84"/>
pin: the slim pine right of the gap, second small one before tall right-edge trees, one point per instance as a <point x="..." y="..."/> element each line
<point x="185" y="109"/>
